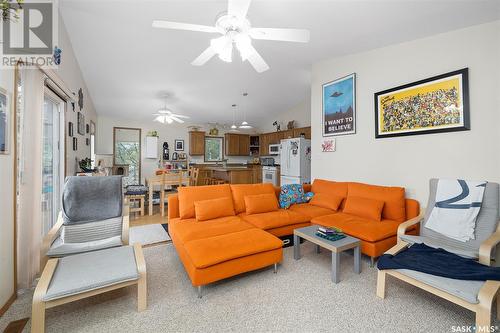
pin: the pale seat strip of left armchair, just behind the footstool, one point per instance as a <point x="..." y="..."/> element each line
<point x="60" y="249"/>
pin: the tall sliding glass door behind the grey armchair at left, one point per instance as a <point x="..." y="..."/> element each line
<point x="52" y="158"/>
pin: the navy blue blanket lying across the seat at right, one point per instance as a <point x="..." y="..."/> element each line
<point x="426" y="259"/>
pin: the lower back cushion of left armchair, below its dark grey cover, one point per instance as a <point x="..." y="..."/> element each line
<point x="91" y="231"/>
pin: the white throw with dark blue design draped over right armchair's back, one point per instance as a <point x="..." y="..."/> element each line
<point x="457" y="205"/>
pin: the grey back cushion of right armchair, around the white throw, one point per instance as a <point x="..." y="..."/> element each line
<point x="486" y="222"/>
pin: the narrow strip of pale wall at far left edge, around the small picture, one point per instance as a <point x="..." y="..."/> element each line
<point x="7" y="202"/>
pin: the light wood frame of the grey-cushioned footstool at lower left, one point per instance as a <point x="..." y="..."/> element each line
<point x="39" y="305"/>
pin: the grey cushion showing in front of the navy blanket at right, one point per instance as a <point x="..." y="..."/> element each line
<point x="464" y="289"/>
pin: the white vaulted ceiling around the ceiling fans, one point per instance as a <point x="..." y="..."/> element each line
<point x="127" y="64"/>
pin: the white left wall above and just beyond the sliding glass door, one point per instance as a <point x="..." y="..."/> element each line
<point x="69" y="72"/>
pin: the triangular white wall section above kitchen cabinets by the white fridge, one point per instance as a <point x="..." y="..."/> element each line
<point x="301" y="113"/>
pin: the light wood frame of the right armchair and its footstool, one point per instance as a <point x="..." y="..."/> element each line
<point x="487" y="293"/>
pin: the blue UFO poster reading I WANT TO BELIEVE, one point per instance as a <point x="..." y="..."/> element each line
<point x="339" y="106"/>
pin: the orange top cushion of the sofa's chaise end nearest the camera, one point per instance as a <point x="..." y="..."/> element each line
<point x="211" y="251"/>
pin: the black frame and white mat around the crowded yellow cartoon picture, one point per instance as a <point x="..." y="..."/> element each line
<point x="463" y="80"/>
